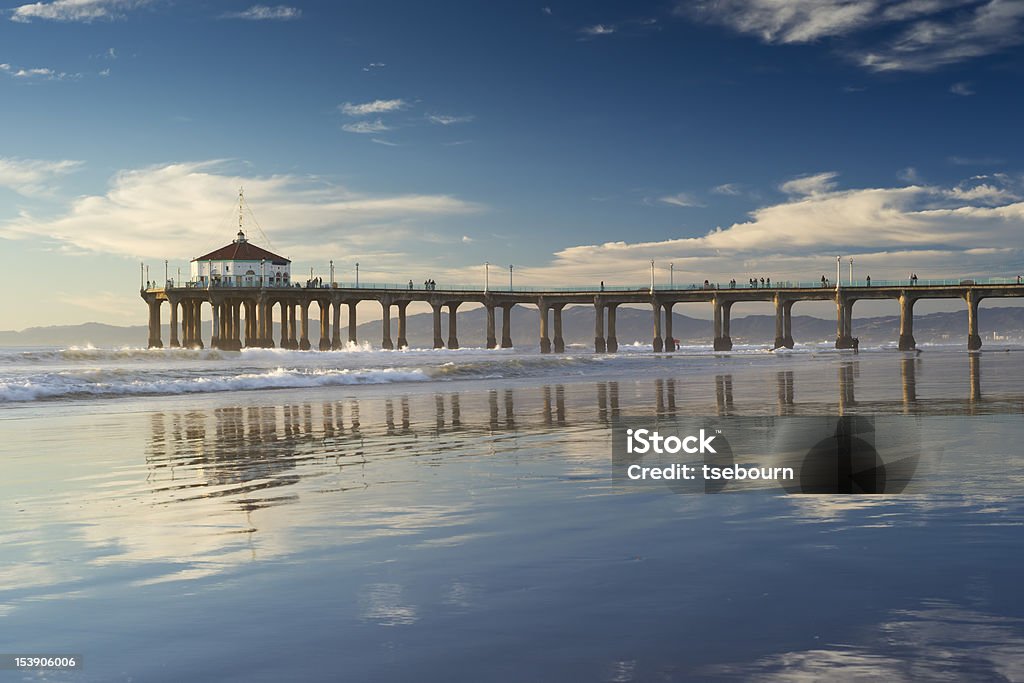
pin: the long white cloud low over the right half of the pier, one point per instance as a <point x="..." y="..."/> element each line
<point x="932" y="231"/>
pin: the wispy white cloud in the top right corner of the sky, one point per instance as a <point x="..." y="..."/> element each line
<point x="929" y="33"/>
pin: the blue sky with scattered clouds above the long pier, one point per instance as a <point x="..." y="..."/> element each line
<point x="578" y="141"/>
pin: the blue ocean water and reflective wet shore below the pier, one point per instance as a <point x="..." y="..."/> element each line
<point x="425" y="516"/>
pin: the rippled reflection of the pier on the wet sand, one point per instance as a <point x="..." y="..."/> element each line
<point x="241" y="451"/>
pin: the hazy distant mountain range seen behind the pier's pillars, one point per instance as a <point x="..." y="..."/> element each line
<point x="578" y="328"/>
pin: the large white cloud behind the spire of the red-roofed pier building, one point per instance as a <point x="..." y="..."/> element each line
<point x="178" y="210"/>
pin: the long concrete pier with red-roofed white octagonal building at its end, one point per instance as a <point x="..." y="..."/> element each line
<point x="244" y="284"/>
